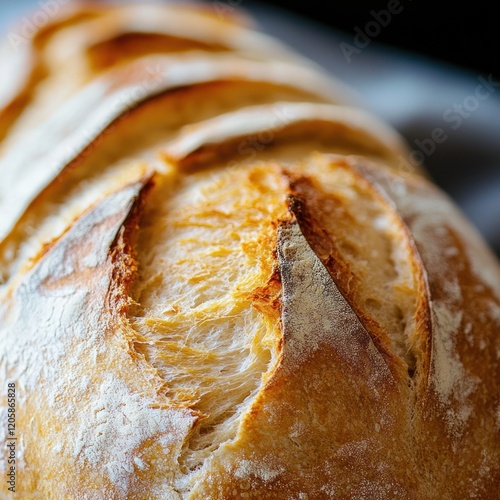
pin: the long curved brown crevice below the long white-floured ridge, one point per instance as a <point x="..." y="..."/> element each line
<point x="120" y="155"/>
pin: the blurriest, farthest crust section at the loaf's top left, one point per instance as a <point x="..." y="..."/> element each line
<point x="89" y="38"/>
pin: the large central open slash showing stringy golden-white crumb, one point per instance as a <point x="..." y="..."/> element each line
<point x="206" y="316"/>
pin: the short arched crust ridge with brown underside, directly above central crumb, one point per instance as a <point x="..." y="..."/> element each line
<point x="342" y="127"/>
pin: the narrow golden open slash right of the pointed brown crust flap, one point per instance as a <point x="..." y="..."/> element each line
<point x="363" y="243"/>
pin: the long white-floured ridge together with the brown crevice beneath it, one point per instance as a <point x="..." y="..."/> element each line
<point x="189" y="89"/>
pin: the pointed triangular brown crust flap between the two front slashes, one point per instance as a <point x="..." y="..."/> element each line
<point x="280" y="453"/>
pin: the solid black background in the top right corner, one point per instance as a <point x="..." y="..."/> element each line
<point x="466" y="35"/>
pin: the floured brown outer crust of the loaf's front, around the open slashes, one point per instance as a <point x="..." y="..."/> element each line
<point x="336" y="415"/>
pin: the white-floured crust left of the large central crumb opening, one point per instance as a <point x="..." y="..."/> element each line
<point x="62" y="347"/>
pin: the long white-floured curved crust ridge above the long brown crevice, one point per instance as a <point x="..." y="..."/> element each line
<point x="113" y="99"/>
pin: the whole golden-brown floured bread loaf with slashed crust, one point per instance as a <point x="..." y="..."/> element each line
<point x="219" y="281"/>
